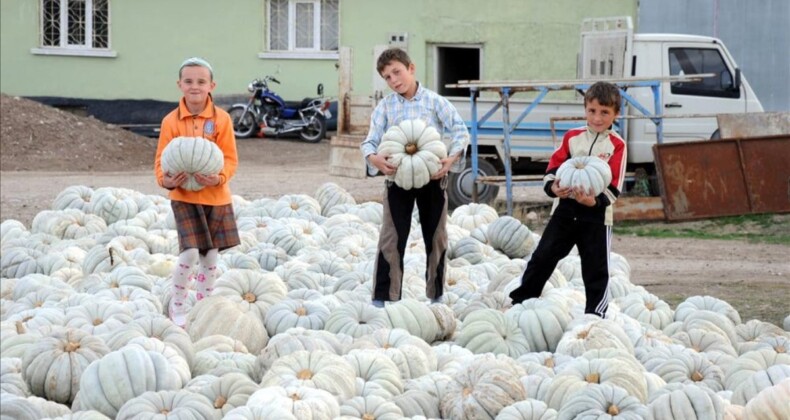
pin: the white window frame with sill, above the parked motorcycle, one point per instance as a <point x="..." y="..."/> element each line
<point x="293" y="52"/>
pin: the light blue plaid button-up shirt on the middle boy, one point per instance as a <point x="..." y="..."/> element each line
<point x="426" y="105"/>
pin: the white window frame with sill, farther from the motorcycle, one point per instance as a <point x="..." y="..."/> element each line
<point x="74" y="49"/>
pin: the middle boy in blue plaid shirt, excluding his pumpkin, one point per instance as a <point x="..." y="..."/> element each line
<point x="410" y="100"/>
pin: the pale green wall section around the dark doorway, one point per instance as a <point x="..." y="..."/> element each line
<point x="521" y="39"/>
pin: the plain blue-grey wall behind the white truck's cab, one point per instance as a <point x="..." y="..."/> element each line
<point x="755" y="32"/>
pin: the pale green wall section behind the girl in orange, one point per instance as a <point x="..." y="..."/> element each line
<point x="152" y="38"/>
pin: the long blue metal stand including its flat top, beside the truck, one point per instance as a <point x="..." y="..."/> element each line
<point x="506" y="89"/>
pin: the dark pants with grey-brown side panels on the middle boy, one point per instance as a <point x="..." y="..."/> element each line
<point x="395" y="226"/>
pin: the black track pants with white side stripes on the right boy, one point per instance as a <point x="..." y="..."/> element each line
<point x="593" y="241"/>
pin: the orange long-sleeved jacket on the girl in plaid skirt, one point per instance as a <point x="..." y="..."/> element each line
<point x="213" y="124"/>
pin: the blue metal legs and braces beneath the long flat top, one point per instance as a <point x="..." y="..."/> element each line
<point x="509" y="129"/>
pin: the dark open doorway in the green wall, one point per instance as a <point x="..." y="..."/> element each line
<point x="454" y="64"/>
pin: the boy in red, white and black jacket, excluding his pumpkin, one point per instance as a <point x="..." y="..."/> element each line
<point x="584" y="220"/>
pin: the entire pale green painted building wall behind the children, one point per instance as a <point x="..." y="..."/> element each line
<point x="522" y="39"/>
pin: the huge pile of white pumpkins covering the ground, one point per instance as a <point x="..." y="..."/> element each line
<point x="290" y="332"/>
